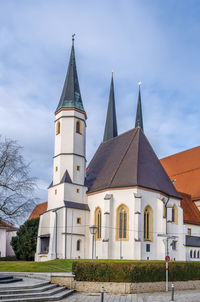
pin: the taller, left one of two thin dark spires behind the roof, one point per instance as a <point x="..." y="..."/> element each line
<point x="111" y="120"/>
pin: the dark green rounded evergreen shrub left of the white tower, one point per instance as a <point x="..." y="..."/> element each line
<point x="24" y="244"/>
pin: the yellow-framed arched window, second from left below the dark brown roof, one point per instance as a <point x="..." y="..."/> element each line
<point x="122" y="223"/>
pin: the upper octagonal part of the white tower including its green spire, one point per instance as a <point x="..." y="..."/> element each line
<point x="70" y="130"/>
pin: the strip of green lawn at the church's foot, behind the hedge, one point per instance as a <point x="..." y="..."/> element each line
<point x="57" y="265"/>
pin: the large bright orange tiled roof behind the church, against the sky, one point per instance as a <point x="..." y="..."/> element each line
<point x="185" y="168"/>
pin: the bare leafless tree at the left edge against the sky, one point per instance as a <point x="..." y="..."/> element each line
<point x="16" y="186"/>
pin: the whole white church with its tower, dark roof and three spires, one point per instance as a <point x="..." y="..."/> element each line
<point x="125" y="192"/>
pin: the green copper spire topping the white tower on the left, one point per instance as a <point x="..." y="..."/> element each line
<point x="71" y="95"/>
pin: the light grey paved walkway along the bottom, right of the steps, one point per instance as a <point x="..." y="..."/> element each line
<point x="184" y="296"/>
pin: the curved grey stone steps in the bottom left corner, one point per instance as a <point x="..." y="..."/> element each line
<point x="38" y="292"/>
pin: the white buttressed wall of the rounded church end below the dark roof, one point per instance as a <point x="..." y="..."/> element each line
<point x="135" y="248"/>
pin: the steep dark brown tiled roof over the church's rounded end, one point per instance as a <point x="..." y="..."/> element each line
<point x="128" y="160"/>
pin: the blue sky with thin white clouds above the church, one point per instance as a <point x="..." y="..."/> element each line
<point x="153" y="41"/>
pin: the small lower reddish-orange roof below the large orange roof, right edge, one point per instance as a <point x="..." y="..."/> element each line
<point x="190" y="212"/>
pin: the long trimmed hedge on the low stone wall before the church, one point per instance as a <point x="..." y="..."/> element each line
<point x="135" y="271"/>
